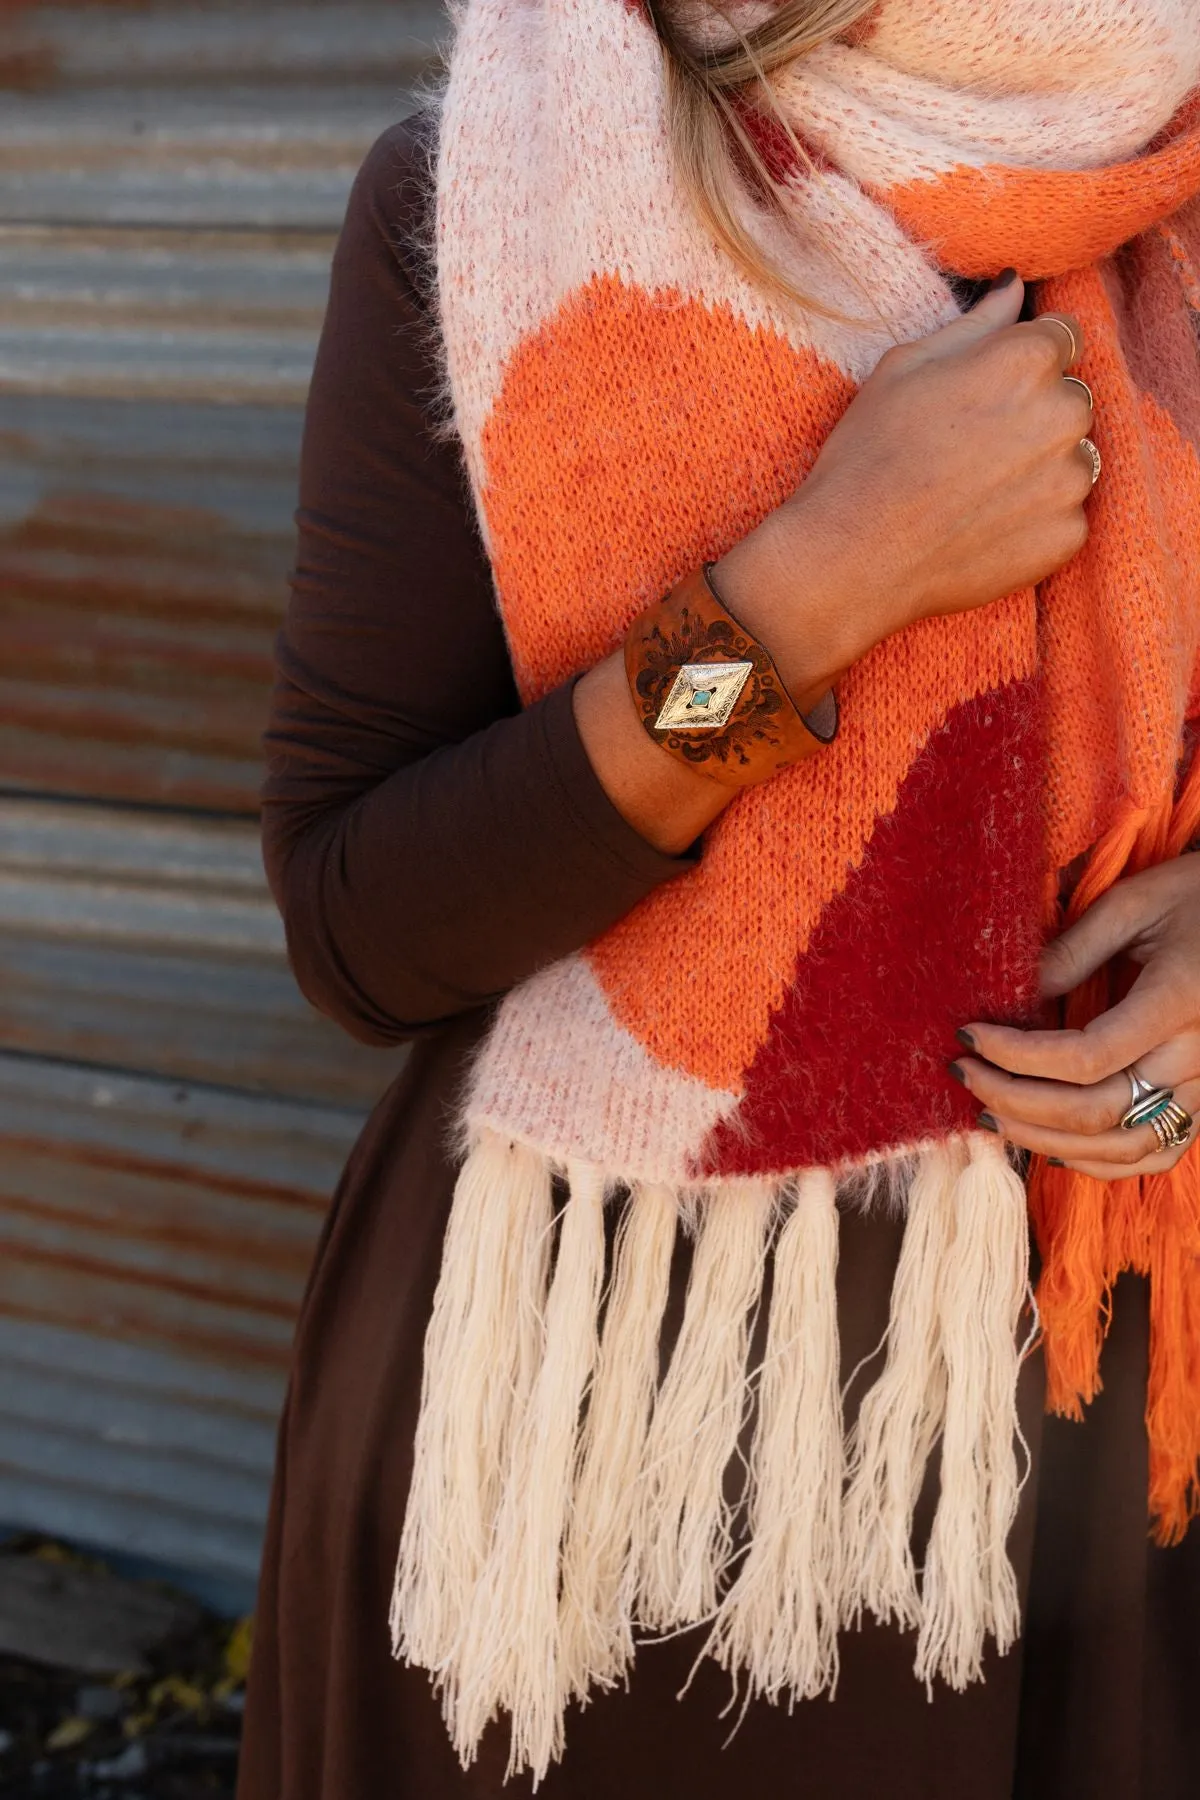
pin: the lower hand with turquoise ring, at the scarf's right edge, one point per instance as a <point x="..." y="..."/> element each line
<point x="1064" y="1093"/>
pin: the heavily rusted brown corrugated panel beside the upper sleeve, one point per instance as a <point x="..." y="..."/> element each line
<point x="145" y="555"/>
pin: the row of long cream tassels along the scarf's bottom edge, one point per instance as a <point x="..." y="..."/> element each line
<point x="568" y="1493"/>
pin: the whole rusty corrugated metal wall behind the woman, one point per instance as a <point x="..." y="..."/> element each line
<point x="172" y="1115"/>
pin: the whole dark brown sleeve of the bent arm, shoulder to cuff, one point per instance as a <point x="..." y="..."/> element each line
<point x="427" y="841"/>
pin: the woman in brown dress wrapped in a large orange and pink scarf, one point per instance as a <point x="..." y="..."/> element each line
<point x="721" y="955"/>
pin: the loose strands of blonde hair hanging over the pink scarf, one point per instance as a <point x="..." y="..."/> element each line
<point x="712" y="89"/>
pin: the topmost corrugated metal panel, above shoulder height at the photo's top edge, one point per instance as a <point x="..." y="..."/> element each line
<point x="202" y="114"/>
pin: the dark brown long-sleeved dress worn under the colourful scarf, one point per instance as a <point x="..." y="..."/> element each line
<point x="431" y="847"/>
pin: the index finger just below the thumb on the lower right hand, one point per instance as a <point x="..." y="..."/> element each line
<point x="1156" y="1009"/>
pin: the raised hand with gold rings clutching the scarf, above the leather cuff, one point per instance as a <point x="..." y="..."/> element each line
<point x="954" y="478"/>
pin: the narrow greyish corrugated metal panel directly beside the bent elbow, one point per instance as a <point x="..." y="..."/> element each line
<point x="152" y="942"/>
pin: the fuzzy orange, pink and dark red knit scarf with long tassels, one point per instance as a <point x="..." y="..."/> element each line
<point x="764" y="1041"/>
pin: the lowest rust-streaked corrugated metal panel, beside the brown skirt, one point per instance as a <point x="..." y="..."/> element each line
<point x="154" y="1245"/>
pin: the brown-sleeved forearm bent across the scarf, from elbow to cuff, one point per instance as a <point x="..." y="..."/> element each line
<point x="433" y="892"/>
